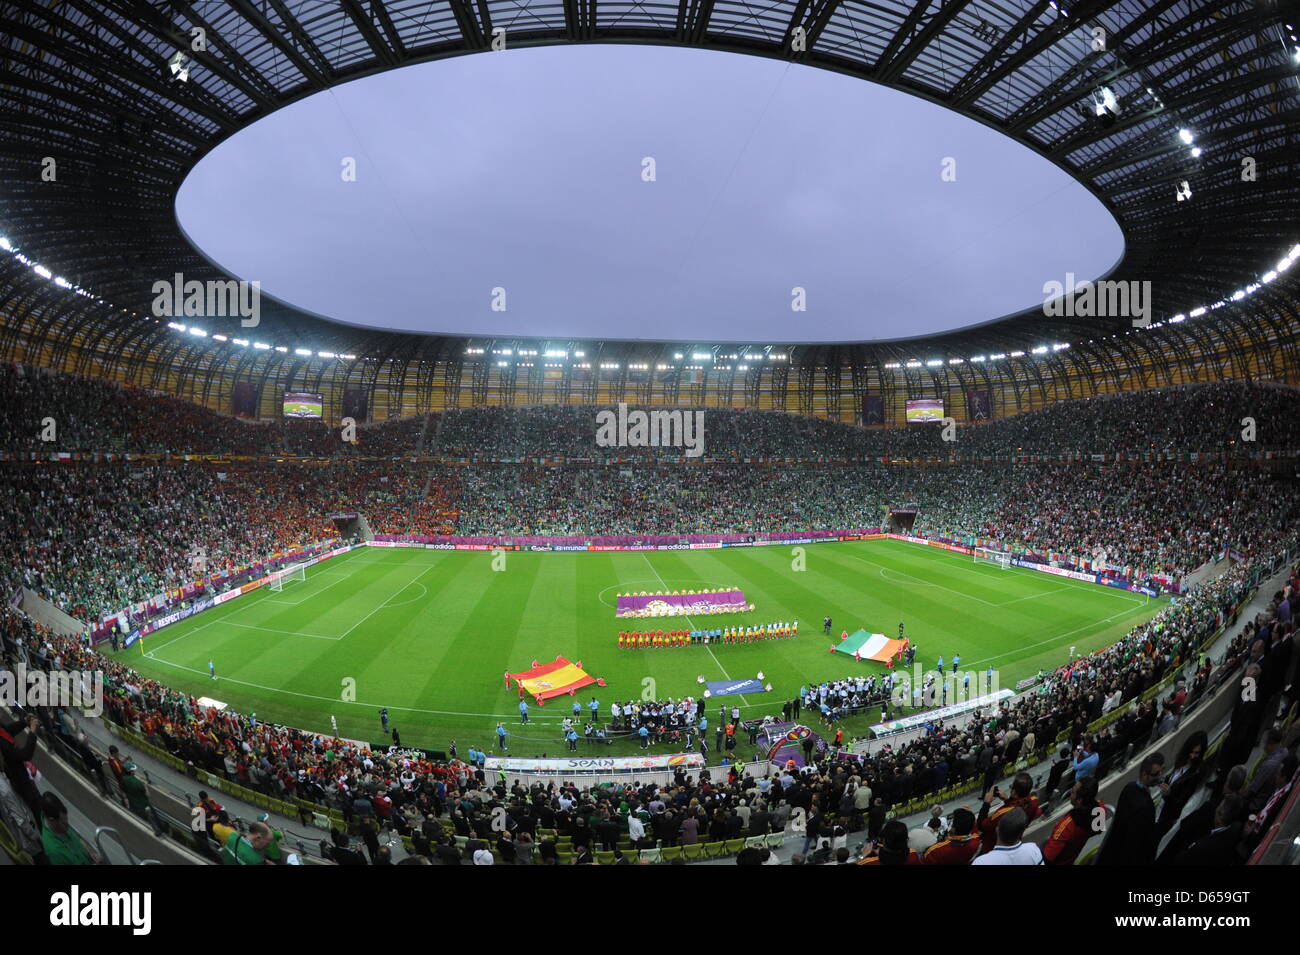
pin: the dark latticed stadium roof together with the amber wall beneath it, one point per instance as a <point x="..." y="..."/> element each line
<point x="1177" y="98"/>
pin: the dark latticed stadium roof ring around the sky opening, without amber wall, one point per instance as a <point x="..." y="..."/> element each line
<point x="1198" y="97"/>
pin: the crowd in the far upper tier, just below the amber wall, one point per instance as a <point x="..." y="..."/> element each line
<point x="92" y="415"/>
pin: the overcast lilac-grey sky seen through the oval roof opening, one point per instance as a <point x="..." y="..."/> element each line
<point x="525" y="171"/>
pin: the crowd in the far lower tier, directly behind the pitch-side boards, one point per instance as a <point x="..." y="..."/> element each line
<point x="98" y="537"/>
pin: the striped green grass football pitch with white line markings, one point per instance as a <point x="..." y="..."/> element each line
<point x="430" y="633"/>
